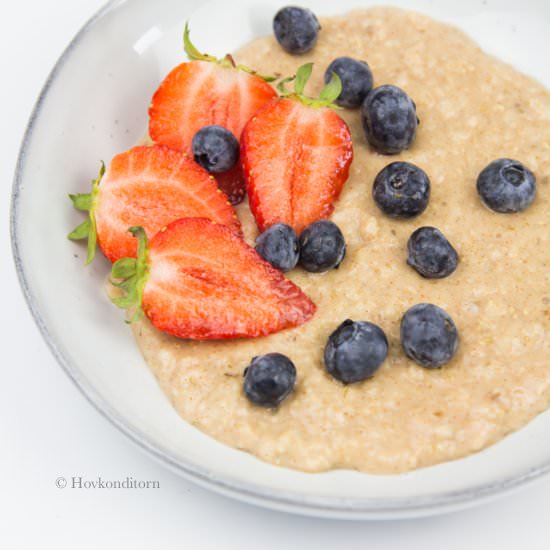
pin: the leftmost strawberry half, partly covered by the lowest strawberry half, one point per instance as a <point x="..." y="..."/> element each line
<point x="148" y="186"/>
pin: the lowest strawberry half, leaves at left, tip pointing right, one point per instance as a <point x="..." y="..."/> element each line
<point x="198" y="279"/>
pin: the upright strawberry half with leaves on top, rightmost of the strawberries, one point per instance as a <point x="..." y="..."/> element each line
<point x="296" y="153"/>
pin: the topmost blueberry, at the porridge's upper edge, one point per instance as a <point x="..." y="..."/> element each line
<point x="296" y="29"/>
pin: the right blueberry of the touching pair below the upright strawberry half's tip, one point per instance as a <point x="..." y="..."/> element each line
<point x="322" y="246"/>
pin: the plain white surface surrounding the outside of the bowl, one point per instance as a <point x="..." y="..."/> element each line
<point x="47" y="429"/>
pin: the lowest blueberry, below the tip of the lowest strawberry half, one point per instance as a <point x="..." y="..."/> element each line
<point x="269" y="379"/>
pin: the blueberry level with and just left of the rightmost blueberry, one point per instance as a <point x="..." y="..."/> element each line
<point x="401" y="190"/>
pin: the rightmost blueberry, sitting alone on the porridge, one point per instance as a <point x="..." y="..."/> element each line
<point x="506" y="186"/>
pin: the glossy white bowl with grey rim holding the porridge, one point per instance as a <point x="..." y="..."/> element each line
<point x="94" y="105"/>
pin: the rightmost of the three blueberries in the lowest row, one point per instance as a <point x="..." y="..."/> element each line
<point x="428" y="335"/>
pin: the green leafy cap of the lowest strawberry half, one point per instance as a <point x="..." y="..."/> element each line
<point x="130" y="276"/>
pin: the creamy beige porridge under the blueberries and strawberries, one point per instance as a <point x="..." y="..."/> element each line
<point x="473" y="109"/>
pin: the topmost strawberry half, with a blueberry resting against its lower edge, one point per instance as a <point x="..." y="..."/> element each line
<point x="202" y="92"/>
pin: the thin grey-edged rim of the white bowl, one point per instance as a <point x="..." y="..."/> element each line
<point x="324" y="506"/>
